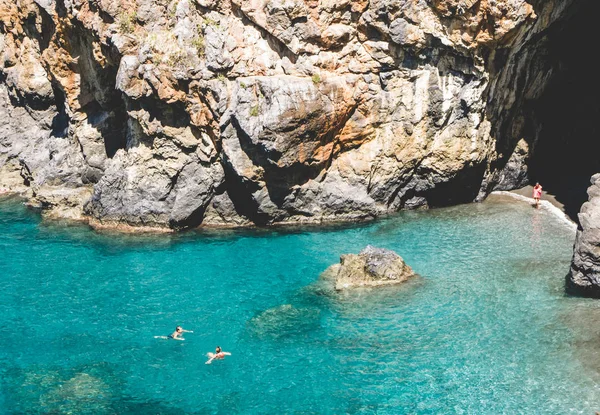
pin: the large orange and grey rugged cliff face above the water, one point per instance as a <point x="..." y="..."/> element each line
<point x="171" y="114"/>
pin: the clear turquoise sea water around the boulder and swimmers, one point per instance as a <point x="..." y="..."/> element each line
<point x="485" y="329"/>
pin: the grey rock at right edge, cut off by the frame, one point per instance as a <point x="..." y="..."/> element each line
<point x="584" y="276"/>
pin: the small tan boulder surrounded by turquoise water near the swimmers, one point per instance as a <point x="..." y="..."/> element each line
<point x="372" y="267"/>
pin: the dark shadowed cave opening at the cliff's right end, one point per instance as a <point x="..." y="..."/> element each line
<point x="567" y="150"/>
